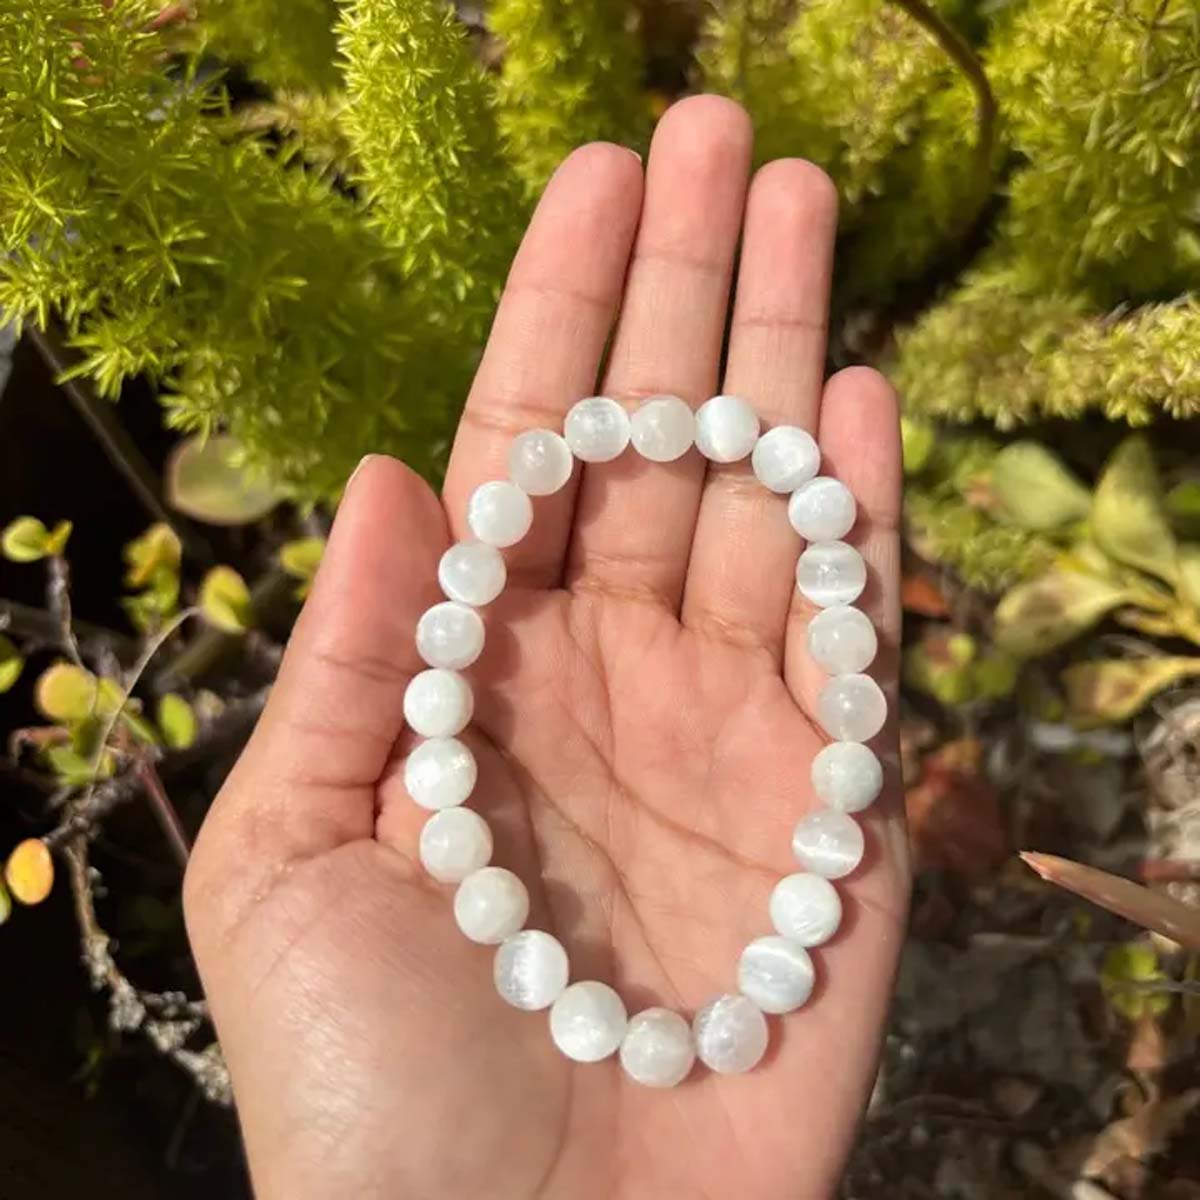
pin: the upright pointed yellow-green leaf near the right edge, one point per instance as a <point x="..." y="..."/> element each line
<point x="1129" y="515"/>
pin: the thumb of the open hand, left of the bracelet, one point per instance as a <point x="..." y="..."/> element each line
<point x="307" y="782"/>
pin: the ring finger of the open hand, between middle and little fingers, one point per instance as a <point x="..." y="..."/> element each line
<point x="741" y="577"/>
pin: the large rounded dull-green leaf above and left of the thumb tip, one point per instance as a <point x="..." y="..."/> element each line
<point x="207" y="479"/>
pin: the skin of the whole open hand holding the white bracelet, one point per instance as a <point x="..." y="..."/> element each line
<point x="644" y="730"/>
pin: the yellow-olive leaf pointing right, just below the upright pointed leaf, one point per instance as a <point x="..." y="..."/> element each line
<point x="1052" y="610"/>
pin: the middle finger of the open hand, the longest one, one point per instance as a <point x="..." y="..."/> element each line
<point x="635" y="519"/>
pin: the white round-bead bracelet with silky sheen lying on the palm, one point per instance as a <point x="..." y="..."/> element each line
<point x="589" y="1021"/>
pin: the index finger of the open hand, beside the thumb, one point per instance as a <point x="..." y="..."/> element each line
<point x="548" y="340"/>
